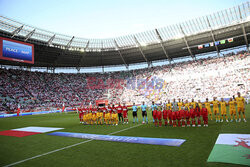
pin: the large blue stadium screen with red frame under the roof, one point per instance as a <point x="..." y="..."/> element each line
<point x="16" y="51"/>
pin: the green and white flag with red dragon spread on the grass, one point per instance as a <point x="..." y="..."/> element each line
<point x="231" y="148"/>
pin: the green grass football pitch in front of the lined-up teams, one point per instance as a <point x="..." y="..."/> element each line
<point x="45" y="150"/>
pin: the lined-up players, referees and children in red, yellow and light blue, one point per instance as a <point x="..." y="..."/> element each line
<point x="171" y="113"/>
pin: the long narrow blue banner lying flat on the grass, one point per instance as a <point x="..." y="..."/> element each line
<point x="126" y="139"/>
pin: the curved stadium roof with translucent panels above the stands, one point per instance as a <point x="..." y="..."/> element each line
<point x="179" y="40"/>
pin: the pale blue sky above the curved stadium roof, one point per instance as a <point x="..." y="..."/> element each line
<point x="107" y="18"/>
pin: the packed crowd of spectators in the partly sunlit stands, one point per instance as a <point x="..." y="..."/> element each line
<point x="198" y="79"/>
